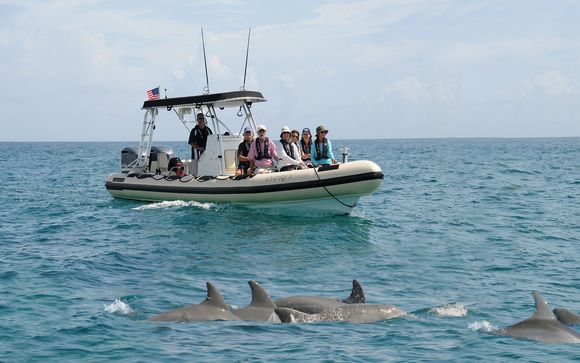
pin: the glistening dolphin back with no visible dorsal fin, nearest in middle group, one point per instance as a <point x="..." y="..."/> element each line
<point x="354" y="313"/>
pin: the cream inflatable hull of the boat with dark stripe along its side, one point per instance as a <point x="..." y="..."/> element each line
<point x="335" y="188"/>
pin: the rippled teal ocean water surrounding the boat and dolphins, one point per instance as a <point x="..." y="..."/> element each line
<point x="460" y="233"/>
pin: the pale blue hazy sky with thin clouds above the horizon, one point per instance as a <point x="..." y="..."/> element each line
<point x="78" y="70"/>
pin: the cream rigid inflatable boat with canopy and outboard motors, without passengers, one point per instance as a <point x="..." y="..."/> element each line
<point x="148" y="174"/>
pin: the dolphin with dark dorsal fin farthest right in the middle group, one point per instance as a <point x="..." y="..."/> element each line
<point x="318" y="304"/>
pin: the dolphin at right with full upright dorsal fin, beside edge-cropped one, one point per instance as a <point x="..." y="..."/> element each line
<point x="542" y="326"/>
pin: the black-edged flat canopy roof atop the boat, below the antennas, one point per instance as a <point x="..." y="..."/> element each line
<point x="226" y="99"/>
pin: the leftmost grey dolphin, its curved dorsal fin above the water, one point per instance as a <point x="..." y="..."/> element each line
<point x="212" y="308"/>
